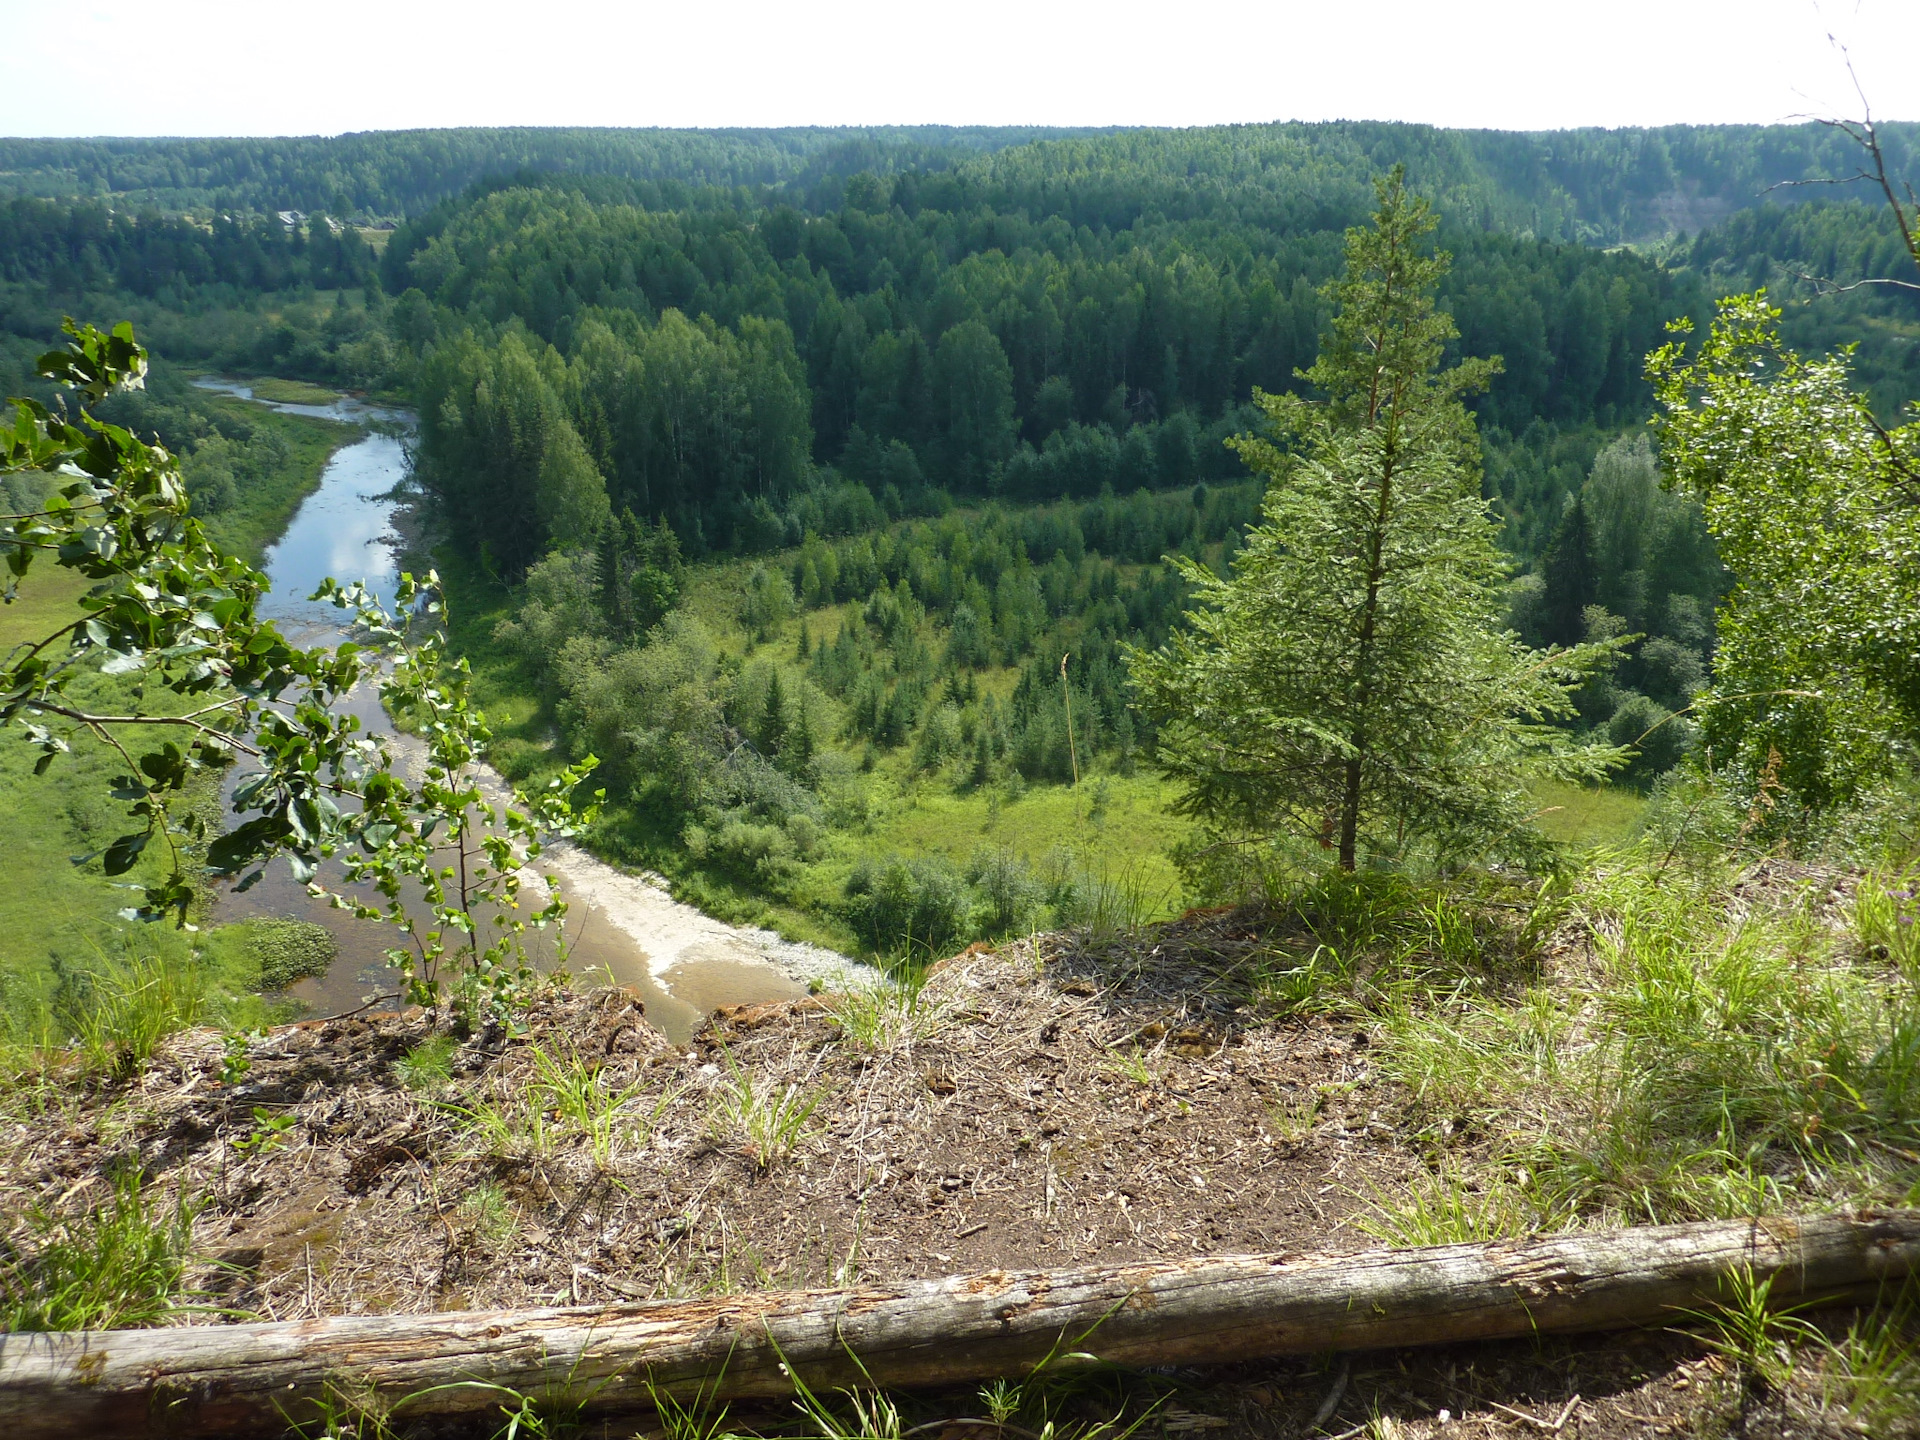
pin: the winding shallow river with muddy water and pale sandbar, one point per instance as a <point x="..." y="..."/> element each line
<point x="623" y="928"/>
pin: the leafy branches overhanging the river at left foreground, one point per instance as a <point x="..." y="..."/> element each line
<point x="168" y="606"/>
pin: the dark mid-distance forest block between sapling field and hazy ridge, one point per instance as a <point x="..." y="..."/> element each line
<point x="972" y="352"/>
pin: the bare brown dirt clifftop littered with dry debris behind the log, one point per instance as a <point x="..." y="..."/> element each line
<point x="1045" y="1105"/>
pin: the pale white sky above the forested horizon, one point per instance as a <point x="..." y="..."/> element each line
<point x="224" y="68"/>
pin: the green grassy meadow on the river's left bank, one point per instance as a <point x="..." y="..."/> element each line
<point x="70" y="965"/>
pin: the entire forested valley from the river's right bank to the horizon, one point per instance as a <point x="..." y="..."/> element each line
<point x="938" y="408"/>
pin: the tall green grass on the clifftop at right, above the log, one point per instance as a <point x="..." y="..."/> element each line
<point x="1721" y="1053"/>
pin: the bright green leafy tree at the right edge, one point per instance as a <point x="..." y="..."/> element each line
<point x="1812" y="502"/>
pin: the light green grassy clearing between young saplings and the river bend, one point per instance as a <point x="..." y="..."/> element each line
<point x="1017" y="853"/>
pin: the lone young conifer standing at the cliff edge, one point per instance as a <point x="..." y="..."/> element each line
<point x="1347" y="683"/>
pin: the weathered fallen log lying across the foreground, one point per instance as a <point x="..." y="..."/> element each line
<point x="260" y="1380"/>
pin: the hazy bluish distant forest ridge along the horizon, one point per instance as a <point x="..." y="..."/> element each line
<point x="1575" y="185"/>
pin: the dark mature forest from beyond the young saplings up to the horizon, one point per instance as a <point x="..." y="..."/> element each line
<point x="1111" y="299"/>
